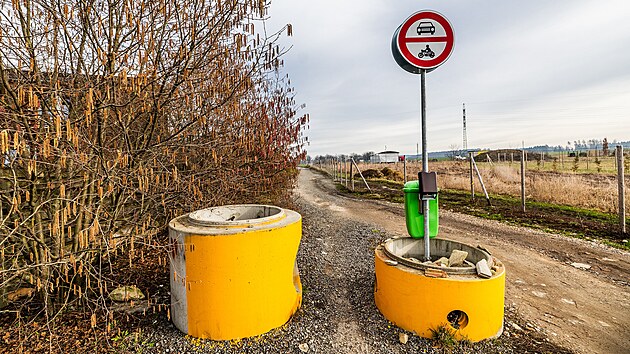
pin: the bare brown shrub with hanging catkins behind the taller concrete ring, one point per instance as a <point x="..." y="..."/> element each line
<point x="117" y="116"/>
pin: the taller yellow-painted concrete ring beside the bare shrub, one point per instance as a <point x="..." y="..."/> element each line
<point x="233" y="270"/>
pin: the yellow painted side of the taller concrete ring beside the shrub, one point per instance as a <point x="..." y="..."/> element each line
<point x="242" y="284"/>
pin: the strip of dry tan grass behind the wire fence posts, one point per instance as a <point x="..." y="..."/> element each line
<point x="592" y="191"/>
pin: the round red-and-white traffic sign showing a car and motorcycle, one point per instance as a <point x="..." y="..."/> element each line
<point x="423" y="41"/>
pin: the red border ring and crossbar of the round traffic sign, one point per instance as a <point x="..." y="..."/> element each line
<point x="401" y="40"/>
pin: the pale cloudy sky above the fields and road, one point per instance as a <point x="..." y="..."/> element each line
<point x="537" y="71"/>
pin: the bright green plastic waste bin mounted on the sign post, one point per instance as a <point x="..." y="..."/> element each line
<point x="415" y="220"/>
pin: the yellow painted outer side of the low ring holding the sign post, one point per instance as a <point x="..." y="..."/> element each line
<point x="418" y="303"/>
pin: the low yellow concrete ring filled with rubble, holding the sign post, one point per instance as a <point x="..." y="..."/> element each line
<point x="470" y="306"/>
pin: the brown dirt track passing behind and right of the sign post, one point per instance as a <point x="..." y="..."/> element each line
<point x="585" y="310"/>
